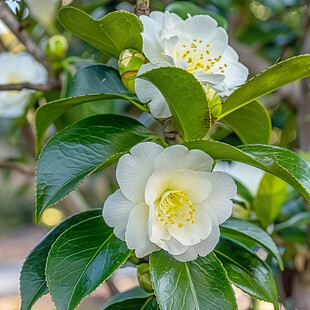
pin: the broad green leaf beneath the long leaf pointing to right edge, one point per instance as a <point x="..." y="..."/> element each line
<point x="251" y="123"/>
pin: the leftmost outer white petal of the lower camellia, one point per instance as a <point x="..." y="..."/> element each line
<point x="116" y="211"/>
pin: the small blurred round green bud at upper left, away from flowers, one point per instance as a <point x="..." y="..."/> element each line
<point x="56" y="48"/>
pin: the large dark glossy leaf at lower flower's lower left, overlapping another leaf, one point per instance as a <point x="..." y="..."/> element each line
<point x="81" y="259"/>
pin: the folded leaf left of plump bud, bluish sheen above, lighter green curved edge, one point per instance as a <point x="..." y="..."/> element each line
<point x="91" y="83"/>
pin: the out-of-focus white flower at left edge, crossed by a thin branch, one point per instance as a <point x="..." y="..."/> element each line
<point x="18" y="68"/>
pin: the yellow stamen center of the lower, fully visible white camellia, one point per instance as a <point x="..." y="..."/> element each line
<point x="175" y="208"/>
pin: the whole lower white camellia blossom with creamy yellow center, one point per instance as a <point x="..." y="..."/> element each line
<point x="169" y="199"/>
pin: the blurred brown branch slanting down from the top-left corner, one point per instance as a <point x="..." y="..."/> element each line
<point x="7" y="16"/>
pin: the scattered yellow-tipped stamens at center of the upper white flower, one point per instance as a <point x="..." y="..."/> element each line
<point x="197" y="54"/>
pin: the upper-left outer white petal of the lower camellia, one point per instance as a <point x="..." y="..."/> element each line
<point x="133" y="171"/>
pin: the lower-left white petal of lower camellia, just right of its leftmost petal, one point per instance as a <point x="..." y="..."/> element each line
<point x="136" y="235"/>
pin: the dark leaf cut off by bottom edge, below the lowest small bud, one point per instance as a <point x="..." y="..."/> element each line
<point x="134" y="299"/>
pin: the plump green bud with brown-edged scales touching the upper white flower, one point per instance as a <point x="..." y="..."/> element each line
<point x="129" y="63"/>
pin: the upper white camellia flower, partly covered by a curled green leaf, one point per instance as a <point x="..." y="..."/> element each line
<point x="196" y="45"/>
